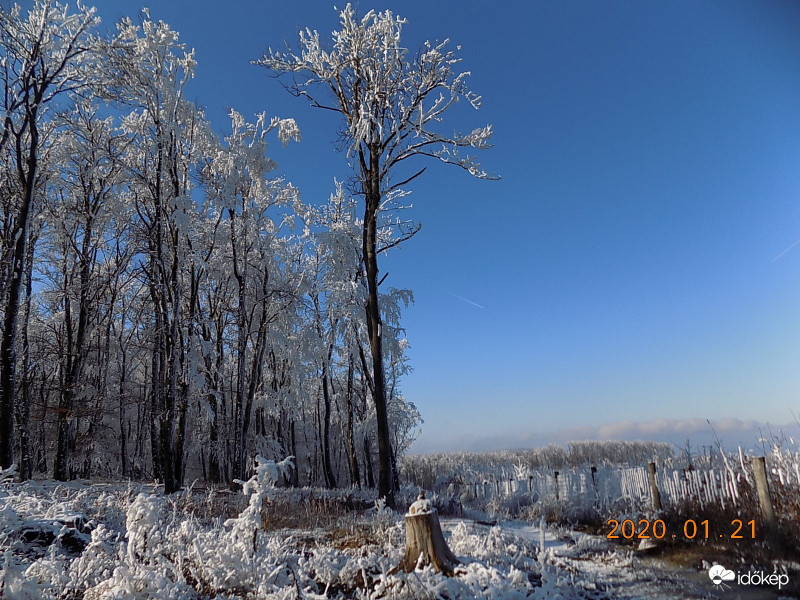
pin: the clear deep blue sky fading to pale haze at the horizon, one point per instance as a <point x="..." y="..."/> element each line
<point x="634" y="267"/>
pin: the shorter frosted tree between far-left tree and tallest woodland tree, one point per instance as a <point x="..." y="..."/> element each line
<point x="87" y="224"/>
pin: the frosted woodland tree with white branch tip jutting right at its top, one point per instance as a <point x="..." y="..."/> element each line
<point x="237" y="182"/>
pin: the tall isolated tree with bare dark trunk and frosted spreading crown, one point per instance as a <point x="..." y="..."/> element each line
<point x="391" y="106"/>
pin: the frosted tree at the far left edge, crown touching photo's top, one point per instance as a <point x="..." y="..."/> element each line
<point x="43" y="58"/>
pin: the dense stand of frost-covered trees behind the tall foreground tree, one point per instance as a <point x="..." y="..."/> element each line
<point x="170" y="307"/>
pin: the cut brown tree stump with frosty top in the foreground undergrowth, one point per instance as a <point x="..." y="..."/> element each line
<point x="425" y="543"/>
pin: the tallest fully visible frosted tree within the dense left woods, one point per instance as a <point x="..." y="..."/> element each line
<point x="147" y="70"/>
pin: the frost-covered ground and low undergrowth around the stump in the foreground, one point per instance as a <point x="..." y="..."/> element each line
<point x="103" y="542"/>
